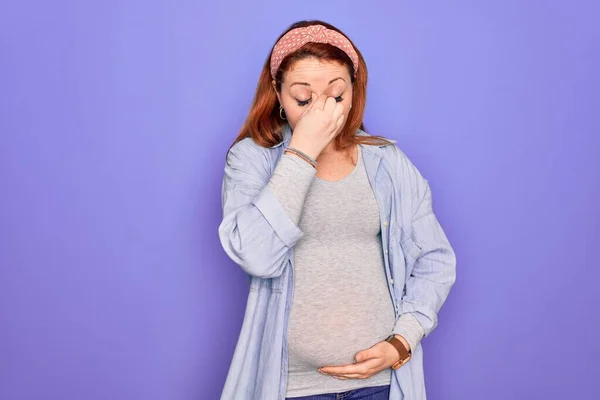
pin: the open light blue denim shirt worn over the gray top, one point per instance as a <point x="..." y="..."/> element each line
<point x="257" y="234"/>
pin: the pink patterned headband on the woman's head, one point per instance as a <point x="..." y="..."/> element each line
<point x="298" y="37"/>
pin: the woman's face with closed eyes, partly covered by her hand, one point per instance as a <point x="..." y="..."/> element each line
<point x="309" y="78"/>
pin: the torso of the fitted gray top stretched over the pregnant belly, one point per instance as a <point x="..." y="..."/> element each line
<point x="341" y="302"/>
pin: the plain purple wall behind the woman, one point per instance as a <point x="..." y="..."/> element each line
<point x="115" y="118"/>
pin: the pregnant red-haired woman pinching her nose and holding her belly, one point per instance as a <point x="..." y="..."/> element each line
<point x="347" y="262"/>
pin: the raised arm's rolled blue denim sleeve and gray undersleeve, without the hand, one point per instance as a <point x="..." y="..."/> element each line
<point x="260" y="214"/>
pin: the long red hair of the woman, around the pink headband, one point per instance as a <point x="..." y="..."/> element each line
<point x="263" y="123"/>
